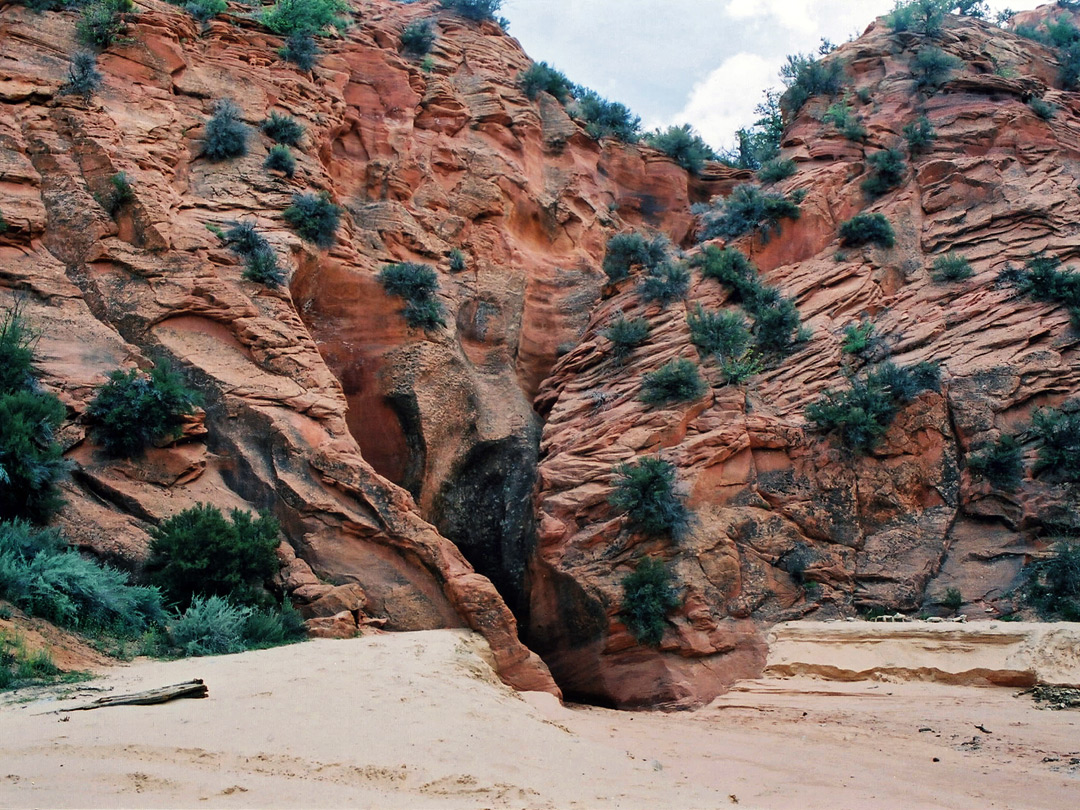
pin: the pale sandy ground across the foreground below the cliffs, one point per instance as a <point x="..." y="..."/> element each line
<point x="420" y="721"/>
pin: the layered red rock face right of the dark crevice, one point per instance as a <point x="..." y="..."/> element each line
<point x="775" y="504"/>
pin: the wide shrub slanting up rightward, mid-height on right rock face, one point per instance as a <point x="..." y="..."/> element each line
<point x="861" y="415"/>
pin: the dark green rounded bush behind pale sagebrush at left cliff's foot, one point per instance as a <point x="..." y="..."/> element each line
<point x="200" y="553"/>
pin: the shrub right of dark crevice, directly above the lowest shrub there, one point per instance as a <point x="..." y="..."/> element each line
<point x="645" y="492"/>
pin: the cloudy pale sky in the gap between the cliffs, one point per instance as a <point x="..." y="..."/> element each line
<point x="704" y="62"/>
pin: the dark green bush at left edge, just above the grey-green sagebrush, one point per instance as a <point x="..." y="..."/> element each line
<point x="32" y="462"/>
